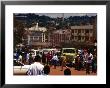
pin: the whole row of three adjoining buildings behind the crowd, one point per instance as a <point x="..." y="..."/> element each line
<point x="76" y="35"/>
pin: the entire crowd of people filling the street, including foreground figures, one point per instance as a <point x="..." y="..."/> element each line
<point x="41" y="63"/>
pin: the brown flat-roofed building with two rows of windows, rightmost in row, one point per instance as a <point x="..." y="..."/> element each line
<point x="83" y="33"/>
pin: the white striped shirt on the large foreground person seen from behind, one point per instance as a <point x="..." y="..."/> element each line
<point x="36" y="69"/>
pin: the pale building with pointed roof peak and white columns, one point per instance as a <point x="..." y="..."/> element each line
<point x="36" y="36"/>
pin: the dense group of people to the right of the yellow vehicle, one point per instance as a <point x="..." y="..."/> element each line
<point x="86" y="60"/>
